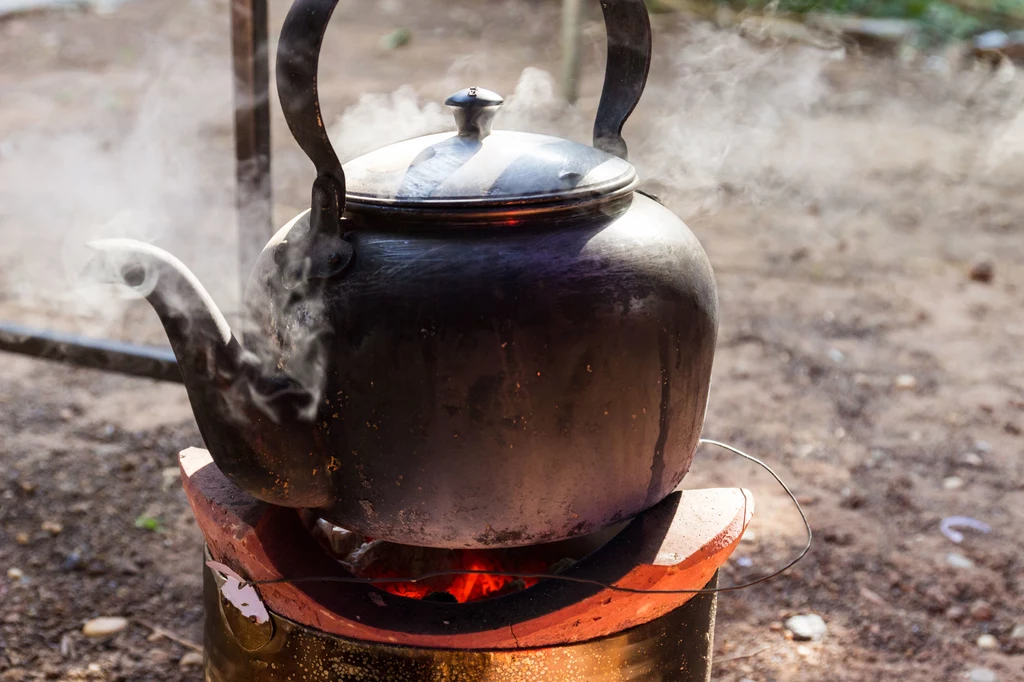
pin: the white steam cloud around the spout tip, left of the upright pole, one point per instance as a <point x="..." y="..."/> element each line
<point x="154" y="175"/>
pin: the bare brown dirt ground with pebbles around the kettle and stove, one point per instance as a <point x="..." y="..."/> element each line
<point x="843" y="199"/>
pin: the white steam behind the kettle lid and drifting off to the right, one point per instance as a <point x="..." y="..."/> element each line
<point x="728" y="119"/>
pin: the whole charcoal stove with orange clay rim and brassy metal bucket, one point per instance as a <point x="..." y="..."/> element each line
<point x="556" y="630"/>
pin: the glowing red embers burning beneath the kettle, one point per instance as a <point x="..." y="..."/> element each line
<point x="468" y="587"/>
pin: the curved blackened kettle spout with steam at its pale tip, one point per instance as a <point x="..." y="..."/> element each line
<point x="244" y="407"/>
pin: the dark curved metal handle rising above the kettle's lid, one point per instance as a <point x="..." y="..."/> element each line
<point x="627" y="24"/>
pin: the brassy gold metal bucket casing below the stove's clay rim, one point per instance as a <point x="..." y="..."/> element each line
<point x="675" y="648"/>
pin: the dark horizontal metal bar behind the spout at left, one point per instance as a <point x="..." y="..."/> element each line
<point x="151" y="362"/>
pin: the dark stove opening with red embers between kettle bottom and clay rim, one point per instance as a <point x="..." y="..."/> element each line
<point x="367" y="558"/>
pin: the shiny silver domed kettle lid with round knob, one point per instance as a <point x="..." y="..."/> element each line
<point x="477" y="173"/>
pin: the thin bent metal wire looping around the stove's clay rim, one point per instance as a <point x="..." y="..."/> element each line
<point x="573" y="579"/>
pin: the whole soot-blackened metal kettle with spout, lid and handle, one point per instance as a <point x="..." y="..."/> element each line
<point x="473" y="339"/>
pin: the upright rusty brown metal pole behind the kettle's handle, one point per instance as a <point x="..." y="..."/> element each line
<point x="252" y="131"/>
